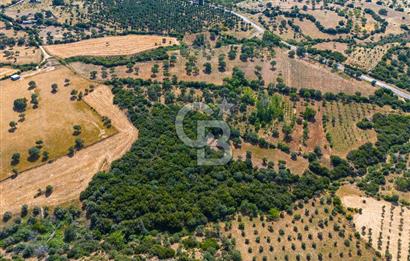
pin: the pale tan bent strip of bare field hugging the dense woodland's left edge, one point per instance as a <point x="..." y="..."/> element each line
<point x="71" y="175"/>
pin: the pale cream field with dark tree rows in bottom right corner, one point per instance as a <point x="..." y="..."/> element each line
<point x="384" y="225"/>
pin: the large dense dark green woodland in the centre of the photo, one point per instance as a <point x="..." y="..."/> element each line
<point x="175" y="193"/>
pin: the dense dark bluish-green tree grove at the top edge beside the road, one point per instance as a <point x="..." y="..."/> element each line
<point x="159" y="16"/>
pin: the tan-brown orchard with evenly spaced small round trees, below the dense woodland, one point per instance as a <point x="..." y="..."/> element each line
<point x="310" y="231"/>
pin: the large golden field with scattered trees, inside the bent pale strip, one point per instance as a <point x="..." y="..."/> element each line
<point x="51" y="122"/>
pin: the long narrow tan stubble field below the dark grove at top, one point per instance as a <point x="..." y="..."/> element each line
<point x="111" y="46"/>
